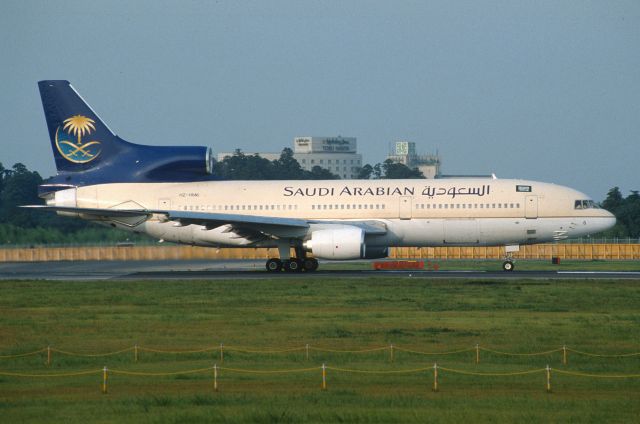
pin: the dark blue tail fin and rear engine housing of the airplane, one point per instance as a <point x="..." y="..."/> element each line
<point x="87" y="152"/>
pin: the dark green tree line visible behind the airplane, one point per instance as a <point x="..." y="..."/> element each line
<point x="19" y="186"/>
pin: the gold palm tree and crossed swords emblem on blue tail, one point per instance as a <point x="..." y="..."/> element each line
<point x="69" y="140"/>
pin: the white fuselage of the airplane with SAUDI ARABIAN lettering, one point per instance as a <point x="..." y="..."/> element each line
<point x="463" y="212"/>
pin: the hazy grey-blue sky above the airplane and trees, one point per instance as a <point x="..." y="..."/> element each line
<point x="544" y="90"/>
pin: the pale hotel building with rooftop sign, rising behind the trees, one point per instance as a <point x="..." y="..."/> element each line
<point x="336" y="154"/>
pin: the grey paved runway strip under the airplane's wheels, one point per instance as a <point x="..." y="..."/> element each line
<point x="254" y="269"/>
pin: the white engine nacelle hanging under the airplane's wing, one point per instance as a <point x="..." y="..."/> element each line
<point x="346" y="242"/>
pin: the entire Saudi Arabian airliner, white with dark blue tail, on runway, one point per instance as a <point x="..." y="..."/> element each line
<point x="170" y="194"/>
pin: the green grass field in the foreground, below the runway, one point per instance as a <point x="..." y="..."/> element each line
<point x="350" y="314"/>
